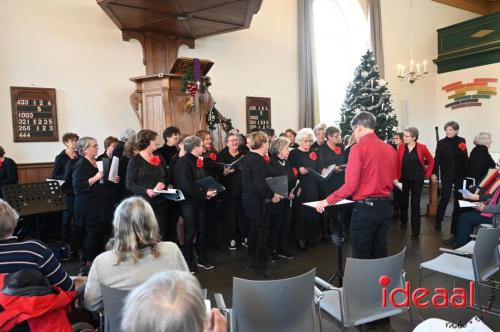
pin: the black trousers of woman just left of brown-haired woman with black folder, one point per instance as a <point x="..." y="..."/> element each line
<point x="236" y="224"/>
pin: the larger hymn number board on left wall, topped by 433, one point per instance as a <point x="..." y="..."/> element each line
<point x="34" y="114"/>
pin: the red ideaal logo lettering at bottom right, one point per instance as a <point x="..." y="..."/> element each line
<point x="440" y="298"/>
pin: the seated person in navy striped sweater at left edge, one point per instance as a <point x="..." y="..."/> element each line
<point x="18" y="255"/>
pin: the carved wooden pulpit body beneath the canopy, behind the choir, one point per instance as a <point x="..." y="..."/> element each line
<point x="159" y="102"/>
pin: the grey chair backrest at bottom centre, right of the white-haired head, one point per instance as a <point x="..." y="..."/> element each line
<point x="275" y="305"/>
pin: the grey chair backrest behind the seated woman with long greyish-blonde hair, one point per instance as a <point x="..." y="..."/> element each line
<point x="113" y="299"/>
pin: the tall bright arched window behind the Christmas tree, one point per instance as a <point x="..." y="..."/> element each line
<point x="340" y="38"/>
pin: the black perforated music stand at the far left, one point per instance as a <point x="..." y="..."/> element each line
<point x="35" y="199"/>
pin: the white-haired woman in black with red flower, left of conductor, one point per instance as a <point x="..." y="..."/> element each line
<point x="303" y="159"/>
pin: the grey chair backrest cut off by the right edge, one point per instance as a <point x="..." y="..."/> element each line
<point x="486" y="257"/>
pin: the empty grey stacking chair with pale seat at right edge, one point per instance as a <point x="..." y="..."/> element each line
<point x="477" y="262"/>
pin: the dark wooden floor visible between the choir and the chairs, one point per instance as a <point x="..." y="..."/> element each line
<point x="323" y="257"/>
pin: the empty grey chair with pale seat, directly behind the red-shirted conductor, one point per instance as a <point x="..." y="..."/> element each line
<point x="359" y="301"/>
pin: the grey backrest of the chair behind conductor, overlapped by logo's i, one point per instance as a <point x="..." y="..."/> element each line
<point x="362" y="292"/>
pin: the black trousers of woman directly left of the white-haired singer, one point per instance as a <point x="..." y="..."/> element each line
<point x="280" y="227"/>
